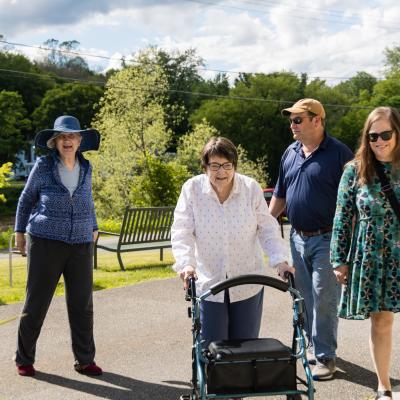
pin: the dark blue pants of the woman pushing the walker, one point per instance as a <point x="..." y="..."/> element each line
<point x="237" y="320"/>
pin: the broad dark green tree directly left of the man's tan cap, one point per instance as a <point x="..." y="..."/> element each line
<point x="256" y="125"/>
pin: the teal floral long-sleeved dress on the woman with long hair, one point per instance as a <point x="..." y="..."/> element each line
<point x="371" y="249"/>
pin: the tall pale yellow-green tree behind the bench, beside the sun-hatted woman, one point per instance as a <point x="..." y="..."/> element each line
<point x="131" y="122"/>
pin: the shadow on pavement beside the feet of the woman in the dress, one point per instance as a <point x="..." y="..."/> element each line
<point x="359" y="375"/>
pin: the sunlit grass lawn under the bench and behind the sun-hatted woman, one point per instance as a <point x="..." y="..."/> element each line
<point x="140" y="266"/>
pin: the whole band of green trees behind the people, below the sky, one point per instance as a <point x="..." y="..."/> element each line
<point x="157" y="111"/>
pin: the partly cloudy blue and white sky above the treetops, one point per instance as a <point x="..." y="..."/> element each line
<point x="329" y="39"/>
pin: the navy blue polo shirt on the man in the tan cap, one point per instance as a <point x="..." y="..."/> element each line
<point x="310" y="184"/>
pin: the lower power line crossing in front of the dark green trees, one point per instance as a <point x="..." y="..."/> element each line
<point x="26" y="75"/>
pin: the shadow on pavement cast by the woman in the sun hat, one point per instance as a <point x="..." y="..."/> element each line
<point x="123" y="387"/>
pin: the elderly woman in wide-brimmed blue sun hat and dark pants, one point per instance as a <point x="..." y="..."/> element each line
<point x="56" y="210"/>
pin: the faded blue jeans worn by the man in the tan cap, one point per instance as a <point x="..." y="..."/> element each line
<point x="315" y="280"/>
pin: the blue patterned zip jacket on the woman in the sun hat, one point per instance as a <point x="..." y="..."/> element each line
<point x="46" y="208"/>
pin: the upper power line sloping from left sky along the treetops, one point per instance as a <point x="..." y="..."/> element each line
<point x="126" y="60"/>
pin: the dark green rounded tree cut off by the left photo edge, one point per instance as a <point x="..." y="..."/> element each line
<point x="13" y="122"/>
